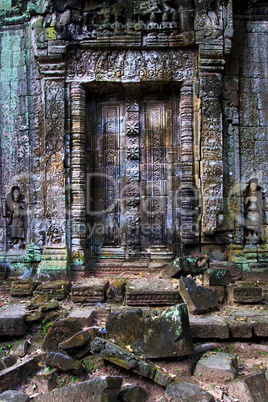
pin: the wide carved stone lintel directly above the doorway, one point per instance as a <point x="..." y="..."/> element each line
<point x="131" y="65"/>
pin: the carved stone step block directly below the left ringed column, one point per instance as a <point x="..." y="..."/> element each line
<point x="89" y="290"/>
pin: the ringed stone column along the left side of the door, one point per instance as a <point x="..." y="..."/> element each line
<point x="78" y="179"/>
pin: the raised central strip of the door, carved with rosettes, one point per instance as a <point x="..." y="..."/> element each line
<point x="132" y="172"/>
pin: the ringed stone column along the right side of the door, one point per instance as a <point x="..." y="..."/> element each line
<point x="188" y="194"/>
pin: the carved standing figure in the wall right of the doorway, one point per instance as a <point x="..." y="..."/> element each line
<point x="253" y="201"/>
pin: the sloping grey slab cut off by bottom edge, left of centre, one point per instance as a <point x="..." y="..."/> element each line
<point x="94" y="390"/>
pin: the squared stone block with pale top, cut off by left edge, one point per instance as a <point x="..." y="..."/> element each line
<point x="12" y="320"/>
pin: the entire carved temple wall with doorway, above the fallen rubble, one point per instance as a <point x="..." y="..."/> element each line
<point x="153" y="112"/>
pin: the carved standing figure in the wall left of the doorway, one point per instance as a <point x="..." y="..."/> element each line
<point x="17" y="218"/>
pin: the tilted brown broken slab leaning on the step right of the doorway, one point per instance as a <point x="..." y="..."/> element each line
<point x="199" y="300"/>
